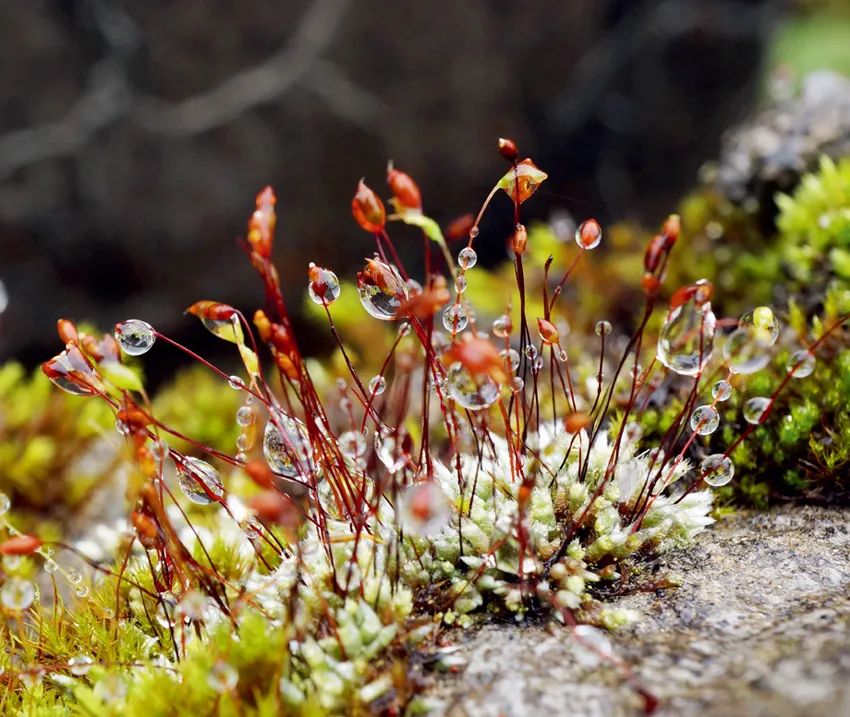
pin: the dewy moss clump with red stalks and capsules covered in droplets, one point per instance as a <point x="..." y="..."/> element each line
<point x="475" y="469"/>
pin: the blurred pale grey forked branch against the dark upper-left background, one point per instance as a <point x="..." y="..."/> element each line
<point x="109" y="95"/>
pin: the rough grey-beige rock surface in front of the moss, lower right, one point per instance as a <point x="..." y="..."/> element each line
<point x="760" y="627"/>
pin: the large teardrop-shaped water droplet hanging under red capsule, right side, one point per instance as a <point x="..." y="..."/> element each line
<point x="686" y="340"/>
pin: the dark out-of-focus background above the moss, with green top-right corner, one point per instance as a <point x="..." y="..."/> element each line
<point x="134" y="134"/>
